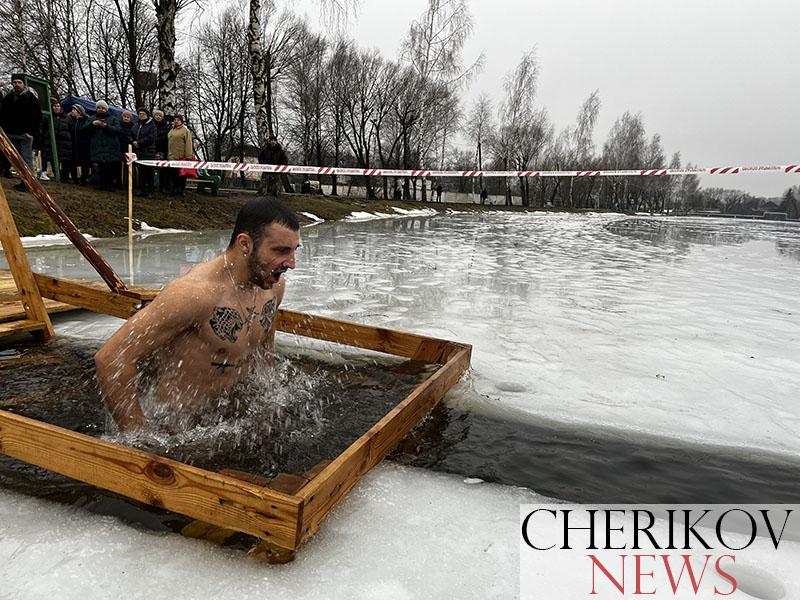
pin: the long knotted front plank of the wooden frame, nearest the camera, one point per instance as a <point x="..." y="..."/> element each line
<point x="210" y="497"/>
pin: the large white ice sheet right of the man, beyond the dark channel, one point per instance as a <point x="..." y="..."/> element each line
<point x="681" y="328"/>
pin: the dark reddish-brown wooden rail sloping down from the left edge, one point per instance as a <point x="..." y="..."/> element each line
<point x="59" y="217"/>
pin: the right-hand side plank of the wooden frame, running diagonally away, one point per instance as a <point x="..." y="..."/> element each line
<point x="324" y="492"/>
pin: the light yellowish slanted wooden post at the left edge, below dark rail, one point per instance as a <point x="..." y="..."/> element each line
<point x="36" y="320"/>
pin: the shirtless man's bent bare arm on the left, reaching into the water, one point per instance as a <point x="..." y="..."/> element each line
<point x="176" y="308"/>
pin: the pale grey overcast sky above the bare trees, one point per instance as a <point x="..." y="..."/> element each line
<point x="717" y="79"/>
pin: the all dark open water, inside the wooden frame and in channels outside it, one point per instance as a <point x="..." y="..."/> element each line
<point x="313" y="409"/>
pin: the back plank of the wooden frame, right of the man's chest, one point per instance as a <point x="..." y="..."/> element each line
<point x="408" y="345"/>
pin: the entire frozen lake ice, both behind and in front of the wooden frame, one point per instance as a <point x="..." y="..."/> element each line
<point x="682" y="330"/>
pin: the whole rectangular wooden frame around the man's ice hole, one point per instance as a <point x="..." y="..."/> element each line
<point x="230" y="501"/>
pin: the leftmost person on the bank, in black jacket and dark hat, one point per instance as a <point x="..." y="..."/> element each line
<point x="20" y="116"/>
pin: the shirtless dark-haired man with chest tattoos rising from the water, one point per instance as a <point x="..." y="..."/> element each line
<point x="208" y="328"/>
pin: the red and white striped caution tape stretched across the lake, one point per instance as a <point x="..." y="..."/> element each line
<point x="309" y="170"/>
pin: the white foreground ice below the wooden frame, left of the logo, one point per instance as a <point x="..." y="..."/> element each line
<point x="400" y="534"/>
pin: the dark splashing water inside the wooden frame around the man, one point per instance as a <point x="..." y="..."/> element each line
<point x="286" y="418"/>
